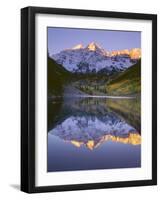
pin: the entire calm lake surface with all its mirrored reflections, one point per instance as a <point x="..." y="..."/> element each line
<point x="93" y="133"/>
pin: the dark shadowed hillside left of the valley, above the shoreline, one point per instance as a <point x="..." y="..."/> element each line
<point x="57" y="77"/>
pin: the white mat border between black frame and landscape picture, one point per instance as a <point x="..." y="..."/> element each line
<point x="92" y="176"/>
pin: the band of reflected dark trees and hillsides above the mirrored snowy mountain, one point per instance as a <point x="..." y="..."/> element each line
<point x="127" y="109"/>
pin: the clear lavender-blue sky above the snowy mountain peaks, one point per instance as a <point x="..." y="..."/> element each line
<point x="64" y="38"/>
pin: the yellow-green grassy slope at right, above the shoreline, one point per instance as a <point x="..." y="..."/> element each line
<point x="127" y="82"/>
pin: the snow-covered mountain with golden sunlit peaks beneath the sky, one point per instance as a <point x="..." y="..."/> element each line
<point x="93" y="58"/>
